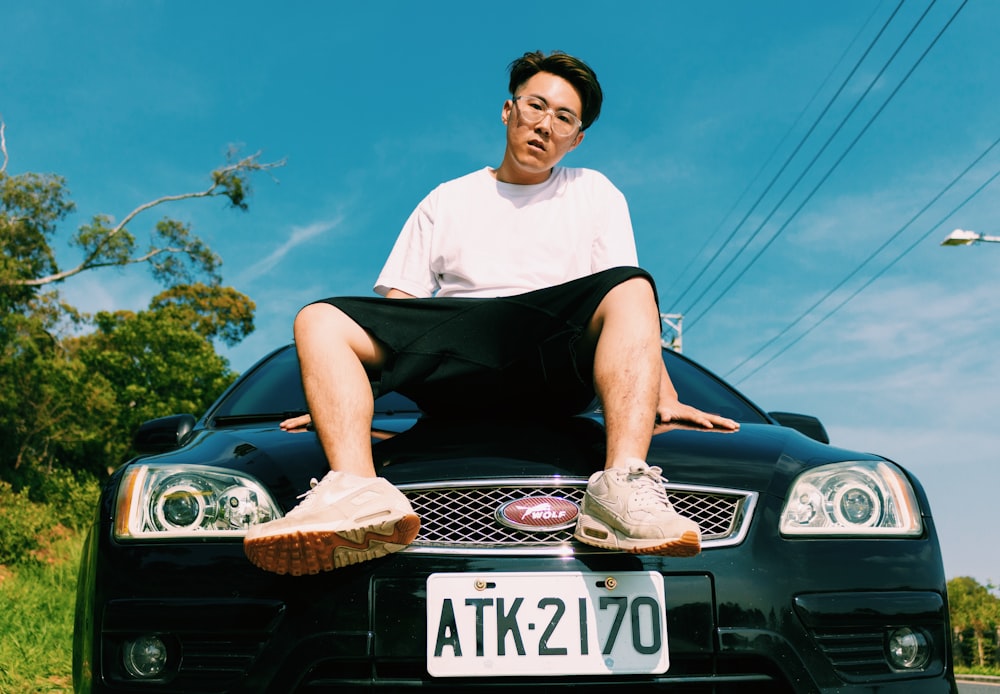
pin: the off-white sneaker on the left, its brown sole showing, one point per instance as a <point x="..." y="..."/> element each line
<point x="344" y="519"/>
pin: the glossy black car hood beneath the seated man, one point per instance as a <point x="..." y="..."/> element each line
<point x="759" y="457"/>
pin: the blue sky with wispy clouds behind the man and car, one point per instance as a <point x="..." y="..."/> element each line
<point x="776" y="161"/>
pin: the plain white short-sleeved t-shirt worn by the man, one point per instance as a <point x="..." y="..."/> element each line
<point x="477" y="237"/>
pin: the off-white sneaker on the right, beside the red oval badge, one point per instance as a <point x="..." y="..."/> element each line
<point x="628" y="510"/>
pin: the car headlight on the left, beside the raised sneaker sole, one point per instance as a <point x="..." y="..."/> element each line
<point x="183" y="501"/>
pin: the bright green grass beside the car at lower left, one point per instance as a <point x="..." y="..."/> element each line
<point x="36" y="618"/>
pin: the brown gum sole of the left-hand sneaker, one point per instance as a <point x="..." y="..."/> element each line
<point x="312" y="551"/>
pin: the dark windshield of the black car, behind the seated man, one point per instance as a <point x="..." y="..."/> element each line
<point x="274" y="387"/>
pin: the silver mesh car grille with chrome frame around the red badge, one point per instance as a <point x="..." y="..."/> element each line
<point x="461" y="516"/>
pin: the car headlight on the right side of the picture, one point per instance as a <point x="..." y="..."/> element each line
<point x="854" y="498"/>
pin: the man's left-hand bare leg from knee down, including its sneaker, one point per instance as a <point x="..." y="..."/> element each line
<point x="351" y="515"/>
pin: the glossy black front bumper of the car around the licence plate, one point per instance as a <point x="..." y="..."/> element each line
<point x="739" y="619"/>
